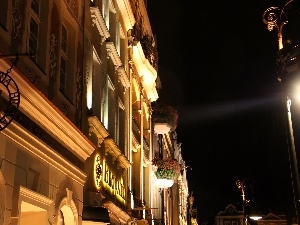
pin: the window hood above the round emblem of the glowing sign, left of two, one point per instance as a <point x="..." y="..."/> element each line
<point x="96" y="127"/>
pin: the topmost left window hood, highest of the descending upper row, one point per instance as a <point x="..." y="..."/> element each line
<point x="98" y="20"/>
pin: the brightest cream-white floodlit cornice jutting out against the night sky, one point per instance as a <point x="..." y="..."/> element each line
<point x="146" y="71"/>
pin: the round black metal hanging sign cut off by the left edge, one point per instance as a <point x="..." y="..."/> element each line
<point x="8" y="106"/>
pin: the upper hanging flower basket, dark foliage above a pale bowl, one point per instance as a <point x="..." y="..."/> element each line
<point x="164" y="118"/>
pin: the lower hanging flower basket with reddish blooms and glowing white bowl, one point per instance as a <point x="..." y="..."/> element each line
<point x="168" y="170"/>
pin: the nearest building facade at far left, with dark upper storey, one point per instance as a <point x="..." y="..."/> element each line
<point x="43" y="149"/>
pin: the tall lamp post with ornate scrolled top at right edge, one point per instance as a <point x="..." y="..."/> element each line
<point x="275" y="17"/>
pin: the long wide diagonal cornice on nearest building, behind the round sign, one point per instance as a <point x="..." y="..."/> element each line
<point x="42" y="111"/>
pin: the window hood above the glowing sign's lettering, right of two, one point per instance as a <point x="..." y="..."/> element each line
<point x="117" y="156"/>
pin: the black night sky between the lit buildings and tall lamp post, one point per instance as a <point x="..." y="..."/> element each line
<point x="217" y="67"/>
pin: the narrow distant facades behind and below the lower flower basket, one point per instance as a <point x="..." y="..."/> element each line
<point x="172" y="207"/>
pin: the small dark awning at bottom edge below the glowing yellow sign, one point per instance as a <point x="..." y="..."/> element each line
<point x="95" y="214"/>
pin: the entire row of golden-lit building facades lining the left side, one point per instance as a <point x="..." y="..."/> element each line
<point x="81" y="76"/>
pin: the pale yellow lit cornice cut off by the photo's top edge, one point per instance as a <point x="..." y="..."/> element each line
<point x="126" y="13"/>
